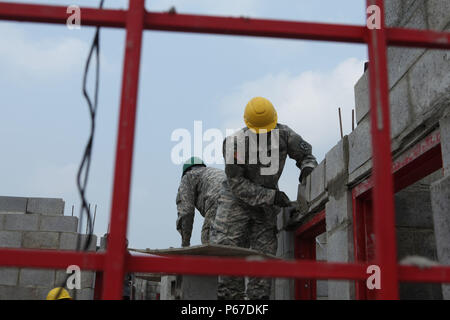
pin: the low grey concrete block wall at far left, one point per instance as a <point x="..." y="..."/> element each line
<point x="39" y="223"/>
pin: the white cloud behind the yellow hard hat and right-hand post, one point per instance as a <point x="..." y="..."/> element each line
<point x="307" y="102"/>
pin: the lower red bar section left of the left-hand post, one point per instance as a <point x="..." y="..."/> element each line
<point x="51" y="259"/>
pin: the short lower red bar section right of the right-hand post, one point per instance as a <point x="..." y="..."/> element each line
<point x="438" y="274"/>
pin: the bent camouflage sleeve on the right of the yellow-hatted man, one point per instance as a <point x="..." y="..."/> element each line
<point x="300" y="151"/>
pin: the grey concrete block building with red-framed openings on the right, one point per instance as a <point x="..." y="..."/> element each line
<point x="419" y="81"/>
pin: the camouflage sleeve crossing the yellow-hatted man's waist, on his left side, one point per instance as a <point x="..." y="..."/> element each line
<point x="245" y="190"/>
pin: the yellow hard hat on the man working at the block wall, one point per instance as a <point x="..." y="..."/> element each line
<point x="260" y="115"/>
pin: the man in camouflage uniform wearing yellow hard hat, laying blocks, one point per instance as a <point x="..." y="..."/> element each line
<point x="250" y="199"/>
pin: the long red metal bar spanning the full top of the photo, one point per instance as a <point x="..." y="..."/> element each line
<point x="225" y="25"/>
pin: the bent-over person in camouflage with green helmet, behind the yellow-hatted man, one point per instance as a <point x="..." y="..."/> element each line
<point x="199" y="188"/>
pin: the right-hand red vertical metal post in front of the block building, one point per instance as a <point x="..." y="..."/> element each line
<point x="383" y="199"/>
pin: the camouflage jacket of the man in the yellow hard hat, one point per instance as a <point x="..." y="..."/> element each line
<point x="245" y="179"/>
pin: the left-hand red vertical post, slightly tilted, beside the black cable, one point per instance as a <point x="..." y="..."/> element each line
<point x="116" y="246"/>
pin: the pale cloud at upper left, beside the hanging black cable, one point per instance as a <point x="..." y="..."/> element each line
<point x="25" y="56"/>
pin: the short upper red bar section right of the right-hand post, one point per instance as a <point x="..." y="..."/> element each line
<point x="418" y="38"/>
